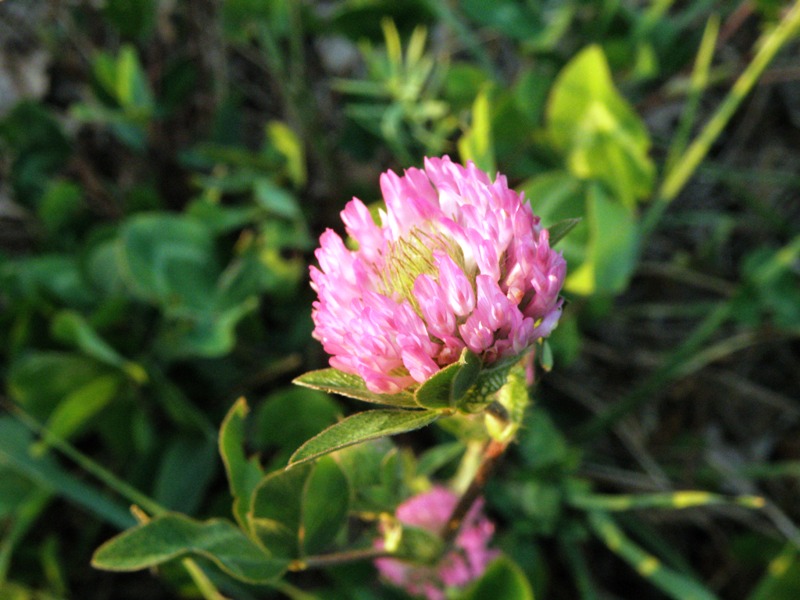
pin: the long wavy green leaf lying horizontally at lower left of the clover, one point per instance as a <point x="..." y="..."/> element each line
<point x="172" y="536"/>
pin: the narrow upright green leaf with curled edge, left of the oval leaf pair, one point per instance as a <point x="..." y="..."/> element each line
<point x="243" y="475"/>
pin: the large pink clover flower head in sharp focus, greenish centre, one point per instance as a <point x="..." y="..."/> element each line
<point x="458" y="261"/>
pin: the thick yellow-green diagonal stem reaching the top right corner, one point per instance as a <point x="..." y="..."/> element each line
<point x="677" y="177"/>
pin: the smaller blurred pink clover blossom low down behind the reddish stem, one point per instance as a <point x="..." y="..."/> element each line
<point x="465" y="562"/>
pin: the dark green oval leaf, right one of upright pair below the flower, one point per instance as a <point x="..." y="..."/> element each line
<point x="325" y="504"/>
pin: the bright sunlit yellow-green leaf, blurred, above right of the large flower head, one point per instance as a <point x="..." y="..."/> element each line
<point x="601" y="135"/>
